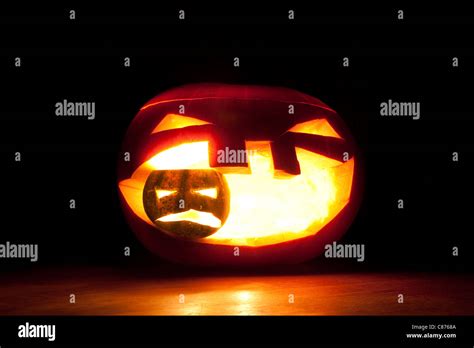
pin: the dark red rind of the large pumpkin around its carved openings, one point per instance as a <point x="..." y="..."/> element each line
<point x="231" y="116"/>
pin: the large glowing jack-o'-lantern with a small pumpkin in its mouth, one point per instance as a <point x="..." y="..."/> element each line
<point x="238" y="175"/>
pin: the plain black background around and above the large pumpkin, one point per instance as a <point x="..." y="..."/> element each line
<point x="82" y="60"/>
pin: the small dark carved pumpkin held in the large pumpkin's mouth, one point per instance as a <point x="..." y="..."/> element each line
<point x="187" y="203"/>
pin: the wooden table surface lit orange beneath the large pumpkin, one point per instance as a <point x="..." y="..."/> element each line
<point x="124" y="291"/>
